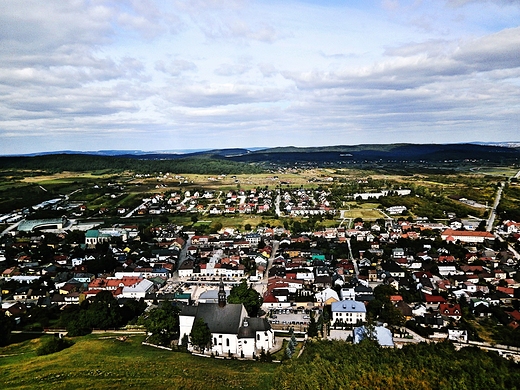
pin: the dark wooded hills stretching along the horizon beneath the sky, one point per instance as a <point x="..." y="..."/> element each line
<point x="238" y="160"/>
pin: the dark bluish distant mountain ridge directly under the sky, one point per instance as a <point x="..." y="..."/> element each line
<point x="401" y="152"/>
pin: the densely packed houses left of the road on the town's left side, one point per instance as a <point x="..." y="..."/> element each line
<point x="63" y="277"/>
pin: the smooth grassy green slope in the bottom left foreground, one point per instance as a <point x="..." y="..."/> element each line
<point x="101" y="361"/>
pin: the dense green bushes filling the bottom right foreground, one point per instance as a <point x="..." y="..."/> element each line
<point x="341" y="365"/>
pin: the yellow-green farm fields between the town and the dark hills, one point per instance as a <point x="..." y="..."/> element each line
<point x="103" y="190"/>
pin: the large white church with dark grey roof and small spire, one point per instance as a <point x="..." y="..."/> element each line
<point x="232" y="332"/>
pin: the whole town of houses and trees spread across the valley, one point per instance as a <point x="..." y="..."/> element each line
<point x="318" y="269"/>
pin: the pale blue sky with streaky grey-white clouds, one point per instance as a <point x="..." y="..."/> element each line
<point x="159" y="75"/>
